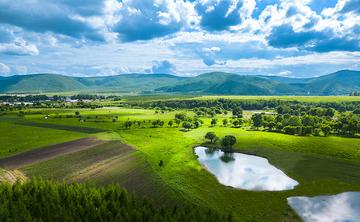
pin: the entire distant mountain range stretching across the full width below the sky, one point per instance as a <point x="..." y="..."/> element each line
<point x="338" y="83"/>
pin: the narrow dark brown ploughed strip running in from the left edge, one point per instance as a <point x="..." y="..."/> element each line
<point x="48" y="152"/>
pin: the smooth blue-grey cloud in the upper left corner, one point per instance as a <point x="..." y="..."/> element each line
<point x="61" y="17"/>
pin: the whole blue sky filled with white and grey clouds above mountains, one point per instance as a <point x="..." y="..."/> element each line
<point x="298" y="38"/>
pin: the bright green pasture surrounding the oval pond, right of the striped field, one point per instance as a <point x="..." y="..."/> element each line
<point x="184" y="174"/>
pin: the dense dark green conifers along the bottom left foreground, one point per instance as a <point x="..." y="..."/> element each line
<point x="39" y="200"/>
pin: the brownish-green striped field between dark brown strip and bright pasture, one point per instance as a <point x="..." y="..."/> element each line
<point x="111" y="162"/>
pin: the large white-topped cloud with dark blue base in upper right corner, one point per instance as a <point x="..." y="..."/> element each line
<point x="295" y="24"/>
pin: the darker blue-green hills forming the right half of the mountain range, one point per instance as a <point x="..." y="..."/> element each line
<point x="339" y="83"/>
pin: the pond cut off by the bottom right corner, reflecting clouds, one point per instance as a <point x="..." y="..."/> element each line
<point x="344" y="207"/>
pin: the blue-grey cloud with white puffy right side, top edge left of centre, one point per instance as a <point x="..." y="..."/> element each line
<point x="143" y="20"/>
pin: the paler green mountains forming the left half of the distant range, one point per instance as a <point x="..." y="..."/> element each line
<point x="39" y="83"/>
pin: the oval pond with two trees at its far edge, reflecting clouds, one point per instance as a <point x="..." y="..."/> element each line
<point x="244" y="171"/>
